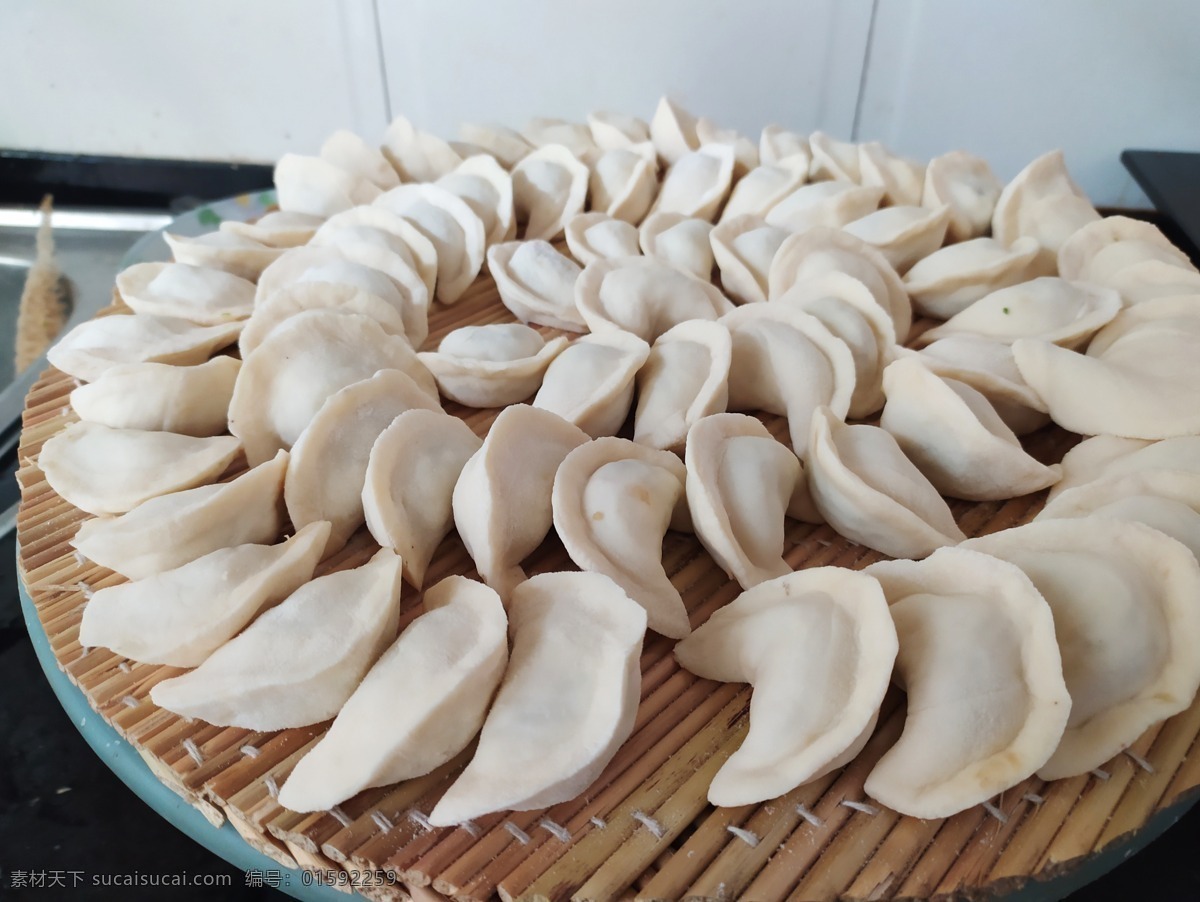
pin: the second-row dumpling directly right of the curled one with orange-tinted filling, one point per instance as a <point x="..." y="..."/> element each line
<point x="741" y="485"/>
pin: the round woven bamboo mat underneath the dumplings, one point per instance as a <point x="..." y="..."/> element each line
<point x="644" y="829"/>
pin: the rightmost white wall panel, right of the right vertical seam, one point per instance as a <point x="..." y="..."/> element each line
<point x="1011" y="81"/>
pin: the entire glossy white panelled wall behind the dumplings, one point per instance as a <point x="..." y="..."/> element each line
<point x="249" y="80"/>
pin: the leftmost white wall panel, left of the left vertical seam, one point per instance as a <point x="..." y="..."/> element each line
<point x="225" y="80"/>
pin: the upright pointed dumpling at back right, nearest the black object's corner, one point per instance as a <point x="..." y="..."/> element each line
<point x="1043" y="203"/>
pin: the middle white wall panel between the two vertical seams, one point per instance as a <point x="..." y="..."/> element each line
<point x="743" y="64"/>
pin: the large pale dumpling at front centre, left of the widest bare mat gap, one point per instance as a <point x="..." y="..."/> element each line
<point x="577" y="650"/>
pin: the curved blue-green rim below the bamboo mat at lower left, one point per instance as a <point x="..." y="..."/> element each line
<point x="125" y="762"/>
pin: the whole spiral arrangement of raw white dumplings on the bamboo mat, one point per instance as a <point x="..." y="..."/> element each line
<point x="667" y="282"/>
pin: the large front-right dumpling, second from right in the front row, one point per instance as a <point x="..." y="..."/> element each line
<point x="987" y="699"/>
